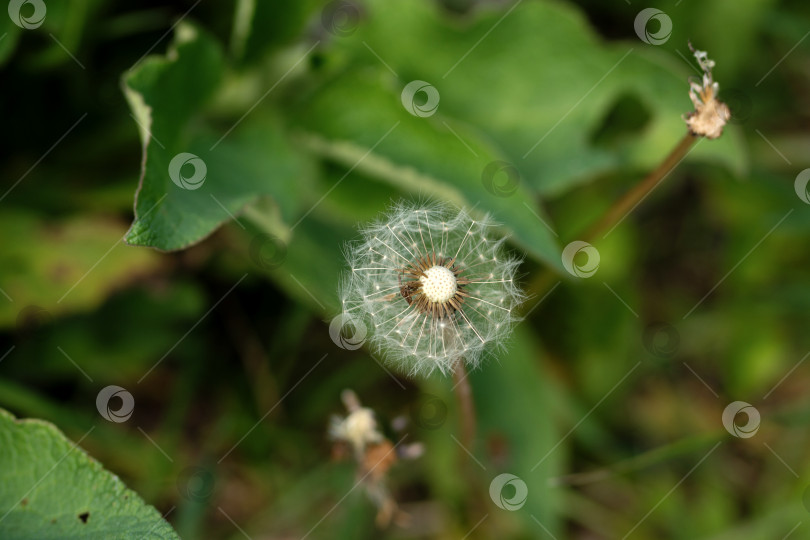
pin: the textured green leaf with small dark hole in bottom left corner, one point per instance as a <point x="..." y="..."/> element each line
<point x="54" y="490"/>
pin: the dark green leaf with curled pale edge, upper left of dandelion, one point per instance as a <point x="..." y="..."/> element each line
<point x="240" y="161"/>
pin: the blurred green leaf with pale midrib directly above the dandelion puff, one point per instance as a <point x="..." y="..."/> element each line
<point x="358" y="120"/>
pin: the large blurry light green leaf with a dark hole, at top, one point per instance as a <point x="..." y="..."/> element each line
<point x="537" y="81"/>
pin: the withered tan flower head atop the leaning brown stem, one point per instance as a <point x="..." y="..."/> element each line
<point x="710" y="115"/>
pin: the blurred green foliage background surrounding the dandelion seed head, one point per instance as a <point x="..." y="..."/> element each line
<point x="299" y="121"/>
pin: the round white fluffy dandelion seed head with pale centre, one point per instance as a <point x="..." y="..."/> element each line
<point x="434" y="287"/>
